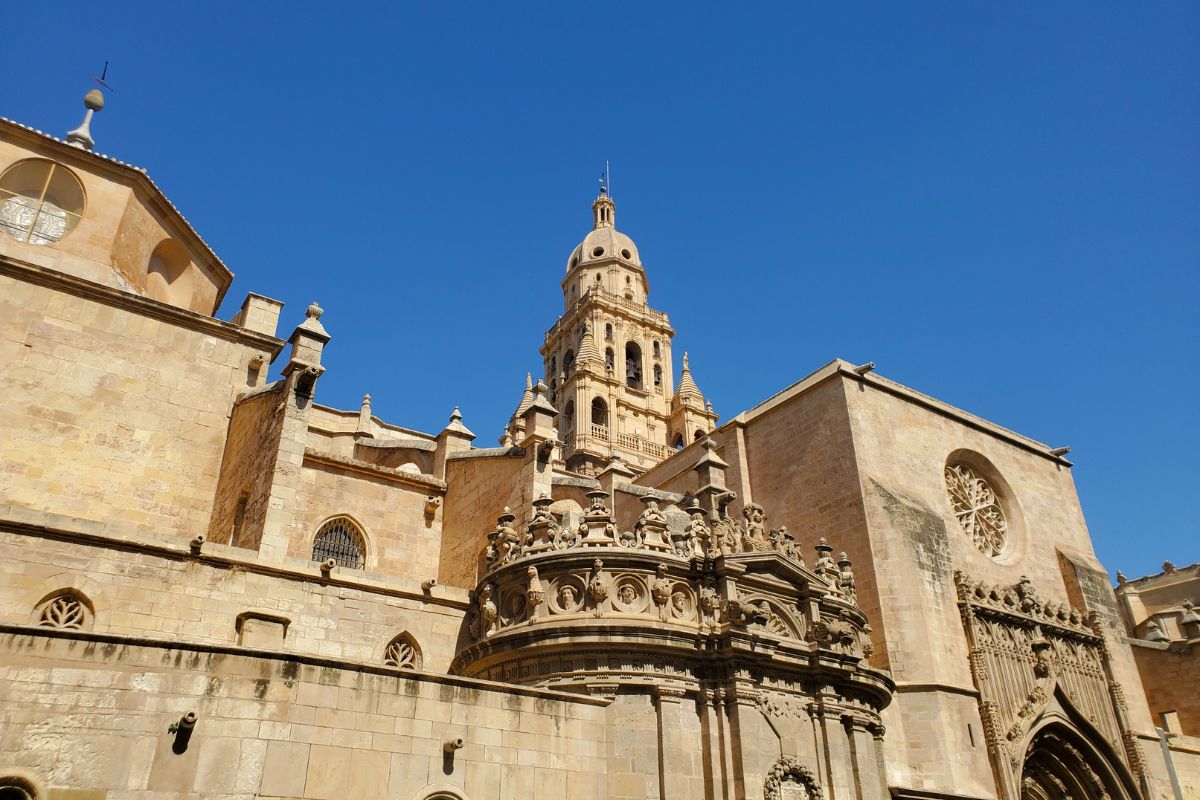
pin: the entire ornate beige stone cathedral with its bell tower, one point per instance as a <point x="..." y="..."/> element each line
<point x="219" y="587"/>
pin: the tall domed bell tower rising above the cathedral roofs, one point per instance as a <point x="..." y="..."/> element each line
<point x="609" y="363"/>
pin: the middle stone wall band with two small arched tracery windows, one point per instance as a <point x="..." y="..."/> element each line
<point x="142" y="588"/>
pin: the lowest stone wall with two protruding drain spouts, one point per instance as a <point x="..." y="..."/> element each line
<point x="93" y="713"/>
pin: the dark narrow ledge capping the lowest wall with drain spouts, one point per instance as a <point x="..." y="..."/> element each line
<point x="302" y="659"/>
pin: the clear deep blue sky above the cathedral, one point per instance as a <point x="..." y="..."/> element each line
<point x="999" y="203"/>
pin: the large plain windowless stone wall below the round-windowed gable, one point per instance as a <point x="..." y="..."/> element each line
<point x="112" y="416"/>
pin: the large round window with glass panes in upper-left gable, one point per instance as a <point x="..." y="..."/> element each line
<point x="40" y="202"/>
